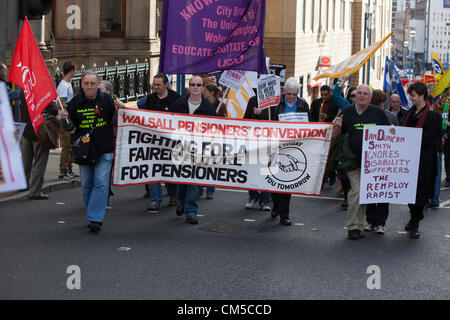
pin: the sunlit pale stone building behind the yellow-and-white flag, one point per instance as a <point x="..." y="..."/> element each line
<point x="299" y="32"/>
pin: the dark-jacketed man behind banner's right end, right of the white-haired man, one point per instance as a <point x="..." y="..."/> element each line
<point x="324" y="109"/>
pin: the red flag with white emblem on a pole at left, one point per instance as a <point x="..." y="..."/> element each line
<point x="28" y="71"/>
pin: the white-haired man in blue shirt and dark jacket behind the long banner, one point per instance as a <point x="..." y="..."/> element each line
<point x="290" y="102"/>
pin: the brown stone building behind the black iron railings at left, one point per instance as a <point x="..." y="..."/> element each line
<point x="94" y="32"/>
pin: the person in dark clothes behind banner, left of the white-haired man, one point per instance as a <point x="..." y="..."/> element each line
<point x="258" y="198"/>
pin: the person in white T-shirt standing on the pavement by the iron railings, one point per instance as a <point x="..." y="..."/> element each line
<point x="65" y="93"/>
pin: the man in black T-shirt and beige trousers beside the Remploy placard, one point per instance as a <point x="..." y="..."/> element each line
<point x="352" y="123"/>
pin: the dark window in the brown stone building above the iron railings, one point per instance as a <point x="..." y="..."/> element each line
<point x="112" y="18"/>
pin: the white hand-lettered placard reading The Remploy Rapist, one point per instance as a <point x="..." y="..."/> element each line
<point x="390" y="162"/>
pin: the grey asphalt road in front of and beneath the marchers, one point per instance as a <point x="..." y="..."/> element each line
<point x="233" y="253"/>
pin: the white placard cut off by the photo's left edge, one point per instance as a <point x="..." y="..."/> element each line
<point x="12" y="176"/>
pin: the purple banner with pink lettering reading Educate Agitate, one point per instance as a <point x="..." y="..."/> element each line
<point x="209" y="35"/>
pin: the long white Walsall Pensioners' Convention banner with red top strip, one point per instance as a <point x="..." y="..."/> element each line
<point x="232" y="153"/>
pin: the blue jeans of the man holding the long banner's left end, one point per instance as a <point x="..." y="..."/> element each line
<point x="95" y="187"/>
